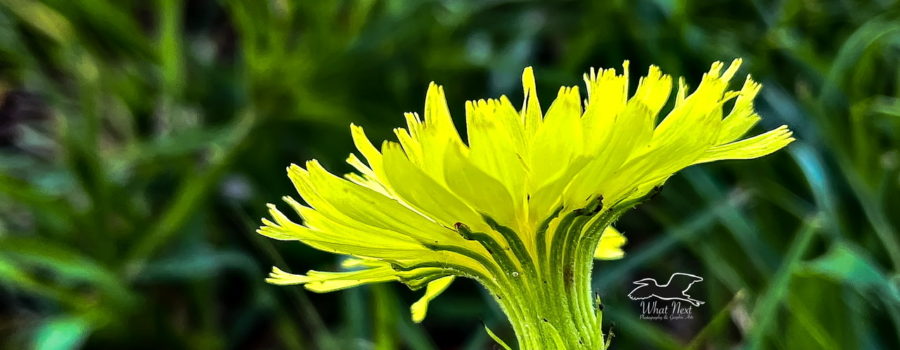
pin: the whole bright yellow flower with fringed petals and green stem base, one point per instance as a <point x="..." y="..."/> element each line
<point x="526" y="202"/>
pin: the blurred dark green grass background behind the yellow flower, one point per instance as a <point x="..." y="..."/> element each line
<point x="140" y="141"/>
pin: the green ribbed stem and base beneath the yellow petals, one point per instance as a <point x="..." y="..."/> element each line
<point x="549" y="302"/>
